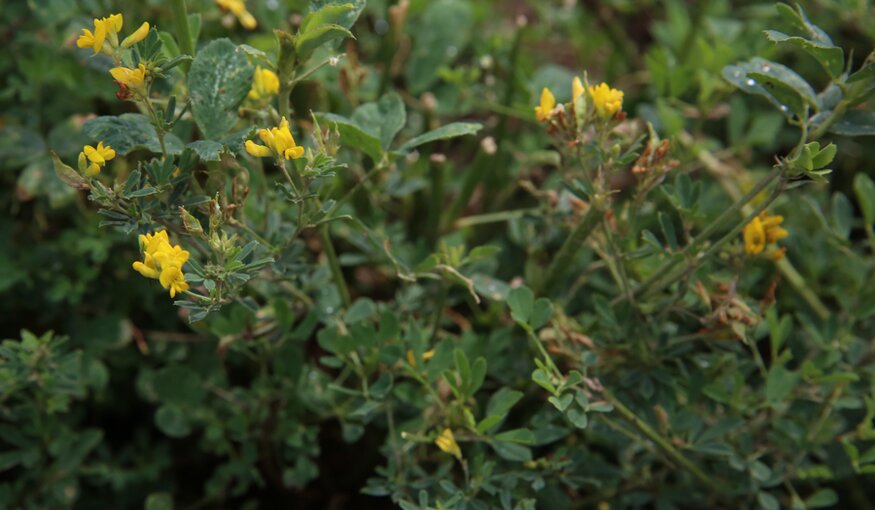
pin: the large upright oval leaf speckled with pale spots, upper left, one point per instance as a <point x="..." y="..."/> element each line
<point x="219" y="79"/>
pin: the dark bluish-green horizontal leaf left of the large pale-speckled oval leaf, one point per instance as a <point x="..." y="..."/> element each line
<point x="128" y="132"/>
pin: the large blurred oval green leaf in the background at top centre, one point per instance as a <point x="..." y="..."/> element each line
<point x="441" y="35"/>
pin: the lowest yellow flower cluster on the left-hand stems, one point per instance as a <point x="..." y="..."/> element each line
<point x="163" y="261"/>
